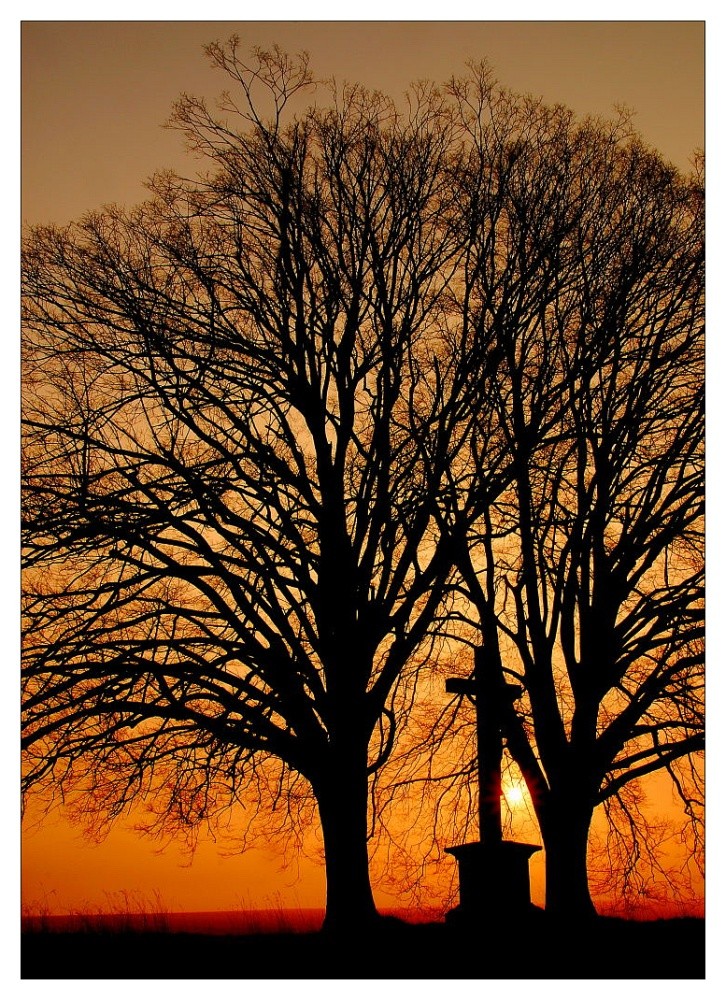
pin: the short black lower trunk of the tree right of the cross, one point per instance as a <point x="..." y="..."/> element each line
<point x="565" y="832"/>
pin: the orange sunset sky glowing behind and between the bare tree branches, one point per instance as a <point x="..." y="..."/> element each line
<point x="97" y="93"/>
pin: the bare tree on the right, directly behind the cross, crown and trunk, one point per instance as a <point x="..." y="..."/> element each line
<point x="584" y="576"/>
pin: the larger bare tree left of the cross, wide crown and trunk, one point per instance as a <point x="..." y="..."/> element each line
<point x="239" y="404"/>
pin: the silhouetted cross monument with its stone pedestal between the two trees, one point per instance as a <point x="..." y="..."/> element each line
<point x="493" y="872"/>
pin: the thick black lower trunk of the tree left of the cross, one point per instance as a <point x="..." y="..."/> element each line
<point x="342" y="795"/>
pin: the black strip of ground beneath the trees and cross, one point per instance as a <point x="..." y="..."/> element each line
<point x="605" y="948"/>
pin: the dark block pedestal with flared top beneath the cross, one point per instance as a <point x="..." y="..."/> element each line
<point x="493" y="879"/>
